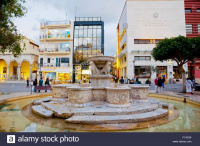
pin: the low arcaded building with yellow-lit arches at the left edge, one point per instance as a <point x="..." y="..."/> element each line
<point x="22" y="67"/>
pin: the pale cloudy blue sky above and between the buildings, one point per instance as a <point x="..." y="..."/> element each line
<point x="39" y="11"/>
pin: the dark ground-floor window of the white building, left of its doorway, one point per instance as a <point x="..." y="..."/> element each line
<point x="143" y="71"/>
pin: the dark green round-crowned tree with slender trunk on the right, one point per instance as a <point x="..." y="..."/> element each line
<point x="180" y="49"/>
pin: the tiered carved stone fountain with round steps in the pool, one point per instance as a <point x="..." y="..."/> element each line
<point x="99" y="102"/>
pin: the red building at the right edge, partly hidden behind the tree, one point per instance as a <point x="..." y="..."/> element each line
<point x="192" y="17"/>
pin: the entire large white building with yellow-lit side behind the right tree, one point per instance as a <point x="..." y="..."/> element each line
<point x="141" y="26"/>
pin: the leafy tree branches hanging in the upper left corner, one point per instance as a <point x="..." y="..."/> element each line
<point x="10" y="40"/>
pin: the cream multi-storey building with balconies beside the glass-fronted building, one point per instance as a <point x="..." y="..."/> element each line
<point x="56" y="43"/>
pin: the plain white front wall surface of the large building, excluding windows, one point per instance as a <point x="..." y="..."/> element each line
<point x="152" y="20"/>
